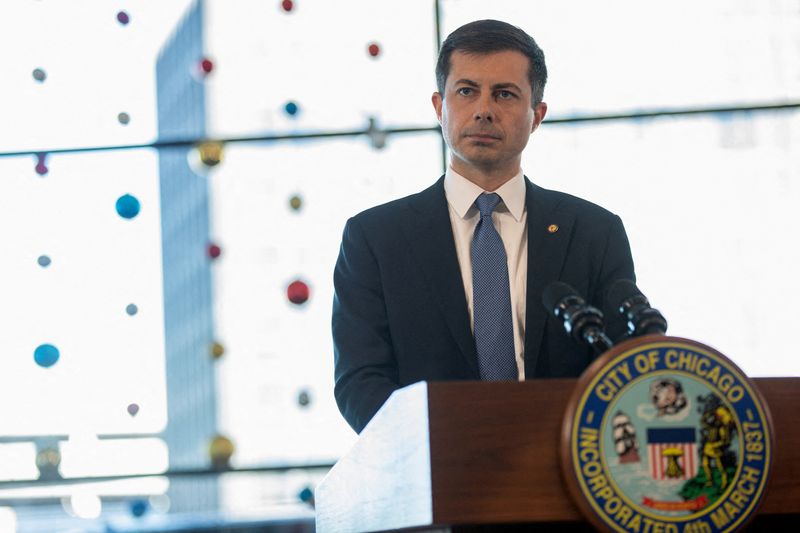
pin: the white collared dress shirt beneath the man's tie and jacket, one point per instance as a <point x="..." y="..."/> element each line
<point x="510" y="220"/>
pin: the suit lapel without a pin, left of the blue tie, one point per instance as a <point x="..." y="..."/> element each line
<point x="430" y="236"/>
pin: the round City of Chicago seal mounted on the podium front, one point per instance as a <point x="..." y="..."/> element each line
<point x="664" y="434"/>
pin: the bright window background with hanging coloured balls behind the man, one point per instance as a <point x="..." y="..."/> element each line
<point x="175" y="177"/>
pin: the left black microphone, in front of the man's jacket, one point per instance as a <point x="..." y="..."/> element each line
<point x="581" y="321"/>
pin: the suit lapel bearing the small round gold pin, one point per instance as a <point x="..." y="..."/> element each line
<point x="549" y="232"/>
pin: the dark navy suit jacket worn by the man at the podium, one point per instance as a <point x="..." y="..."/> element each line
<point x="399" y="310"/>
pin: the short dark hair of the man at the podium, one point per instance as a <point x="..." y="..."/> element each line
<point x="489" y="36"/>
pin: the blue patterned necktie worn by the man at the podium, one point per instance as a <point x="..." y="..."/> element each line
<point x="491" y="298"/>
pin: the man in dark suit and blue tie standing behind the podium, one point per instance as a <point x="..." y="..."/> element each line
<point x="446" y="284"/>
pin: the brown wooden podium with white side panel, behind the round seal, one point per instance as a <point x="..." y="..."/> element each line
<point x="474" y="456"/>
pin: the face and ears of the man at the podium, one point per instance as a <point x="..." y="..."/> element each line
<point x="486" y="114"/>
